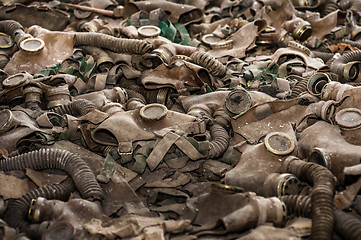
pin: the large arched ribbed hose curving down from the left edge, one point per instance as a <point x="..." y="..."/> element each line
<point x="71" y="163"/>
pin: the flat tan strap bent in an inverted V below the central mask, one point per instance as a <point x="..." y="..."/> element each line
<point x="161" y="149"/>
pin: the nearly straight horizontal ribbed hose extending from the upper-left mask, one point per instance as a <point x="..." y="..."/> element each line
<point x="118" y="45"/>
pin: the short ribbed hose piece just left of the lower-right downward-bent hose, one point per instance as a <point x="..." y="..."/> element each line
<point x="297" y="205"/>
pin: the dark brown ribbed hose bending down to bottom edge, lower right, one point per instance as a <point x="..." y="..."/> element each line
<point x="322" y="194"/>
